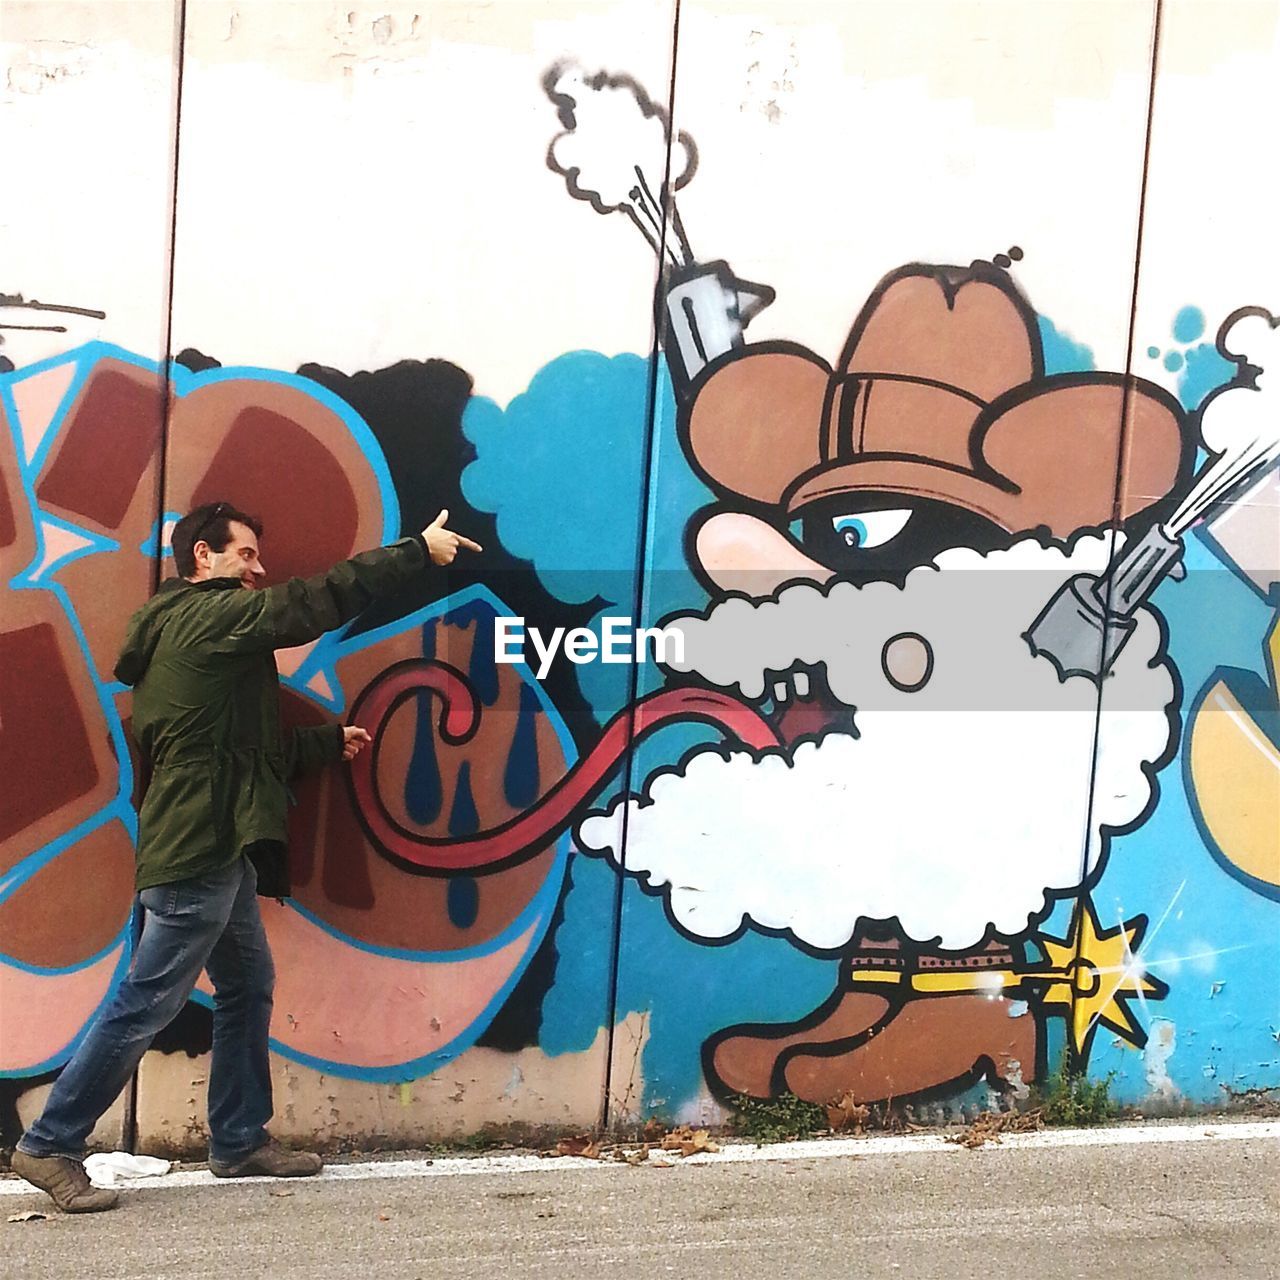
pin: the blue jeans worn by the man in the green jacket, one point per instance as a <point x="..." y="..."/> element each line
<point x="209" y="922"/>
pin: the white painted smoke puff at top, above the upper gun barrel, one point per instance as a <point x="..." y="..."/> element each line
<point x="614" y="150"/>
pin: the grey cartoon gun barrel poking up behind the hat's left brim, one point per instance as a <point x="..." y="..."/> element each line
<point x="708" y="308"/>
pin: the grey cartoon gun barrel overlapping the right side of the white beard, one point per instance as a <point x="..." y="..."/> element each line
<point x="1089" y="621"/>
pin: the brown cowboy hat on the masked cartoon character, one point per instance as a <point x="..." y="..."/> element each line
<point x="941" y="395"/>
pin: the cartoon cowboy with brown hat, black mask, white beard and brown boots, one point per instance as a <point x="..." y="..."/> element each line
<point x="883" y="537"/>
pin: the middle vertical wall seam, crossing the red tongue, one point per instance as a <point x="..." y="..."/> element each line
<point x="639" y="595"/>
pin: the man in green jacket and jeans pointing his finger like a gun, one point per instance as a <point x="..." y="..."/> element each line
<point x="207" y="716"/>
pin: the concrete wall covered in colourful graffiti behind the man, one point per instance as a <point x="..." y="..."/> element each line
<point x="949" y="287"/>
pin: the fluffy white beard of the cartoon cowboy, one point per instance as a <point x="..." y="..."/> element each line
<point x="957" y="811"/>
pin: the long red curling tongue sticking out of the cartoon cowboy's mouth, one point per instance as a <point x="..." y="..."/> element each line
<point x="525" y="835"/>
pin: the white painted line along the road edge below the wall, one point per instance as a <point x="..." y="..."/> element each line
<point x="821" y="1149"/>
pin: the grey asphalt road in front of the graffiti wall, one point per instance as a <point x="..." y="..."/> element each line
<point x="1172" y="1210"/>
